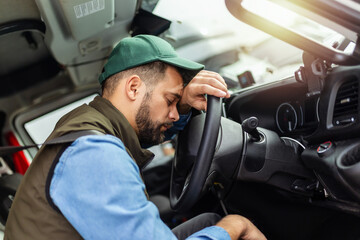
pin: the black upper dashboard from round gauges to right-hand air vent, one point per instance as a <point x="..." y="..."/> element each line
<point x="288" y="108"/>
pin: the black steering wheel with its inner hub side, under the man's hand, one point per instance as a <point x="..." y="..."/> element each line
<point x="193" y="157"/>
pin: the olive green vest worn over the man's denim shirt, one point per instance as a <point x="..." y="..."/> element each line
<point x="31" y="216"/>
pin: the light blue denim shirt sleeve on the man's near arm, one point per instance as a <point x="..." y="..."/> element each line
<point x="98" y="189"/>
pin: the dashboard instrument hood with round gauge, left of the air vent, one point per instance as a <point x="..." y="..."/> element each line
<point x="283" y="107"/>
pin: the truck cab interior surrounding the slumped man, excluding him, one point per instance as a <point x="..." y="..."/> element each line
<point x="283" y="150"/>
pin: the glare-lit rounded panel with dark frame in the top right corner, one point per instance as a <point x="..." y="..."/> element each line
<point x="339" y="21"/>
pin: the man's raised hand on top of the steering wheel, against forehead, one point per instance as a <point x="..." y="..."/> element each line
<point x="205" y="82"/>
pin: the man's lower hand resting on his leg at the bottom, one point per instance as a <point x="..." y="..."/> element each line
<point x="239" y="227"/>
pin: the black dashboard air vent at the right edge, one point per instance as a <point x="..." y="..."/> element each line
<point x="346" y="103"/>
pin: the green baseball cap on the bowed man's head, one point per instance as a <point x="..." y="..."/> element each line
<point x="142" y="49"/>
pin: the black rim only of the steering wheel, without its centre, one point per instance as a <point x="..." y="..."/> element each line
<point x="195" y="180"/>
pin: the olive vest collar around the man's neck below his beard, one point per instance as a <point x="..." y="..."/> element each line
<point x="123" y="130"/>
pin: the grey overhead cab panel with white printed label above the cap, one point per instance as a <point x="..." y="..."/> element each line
<point x="81" y="33"/>
